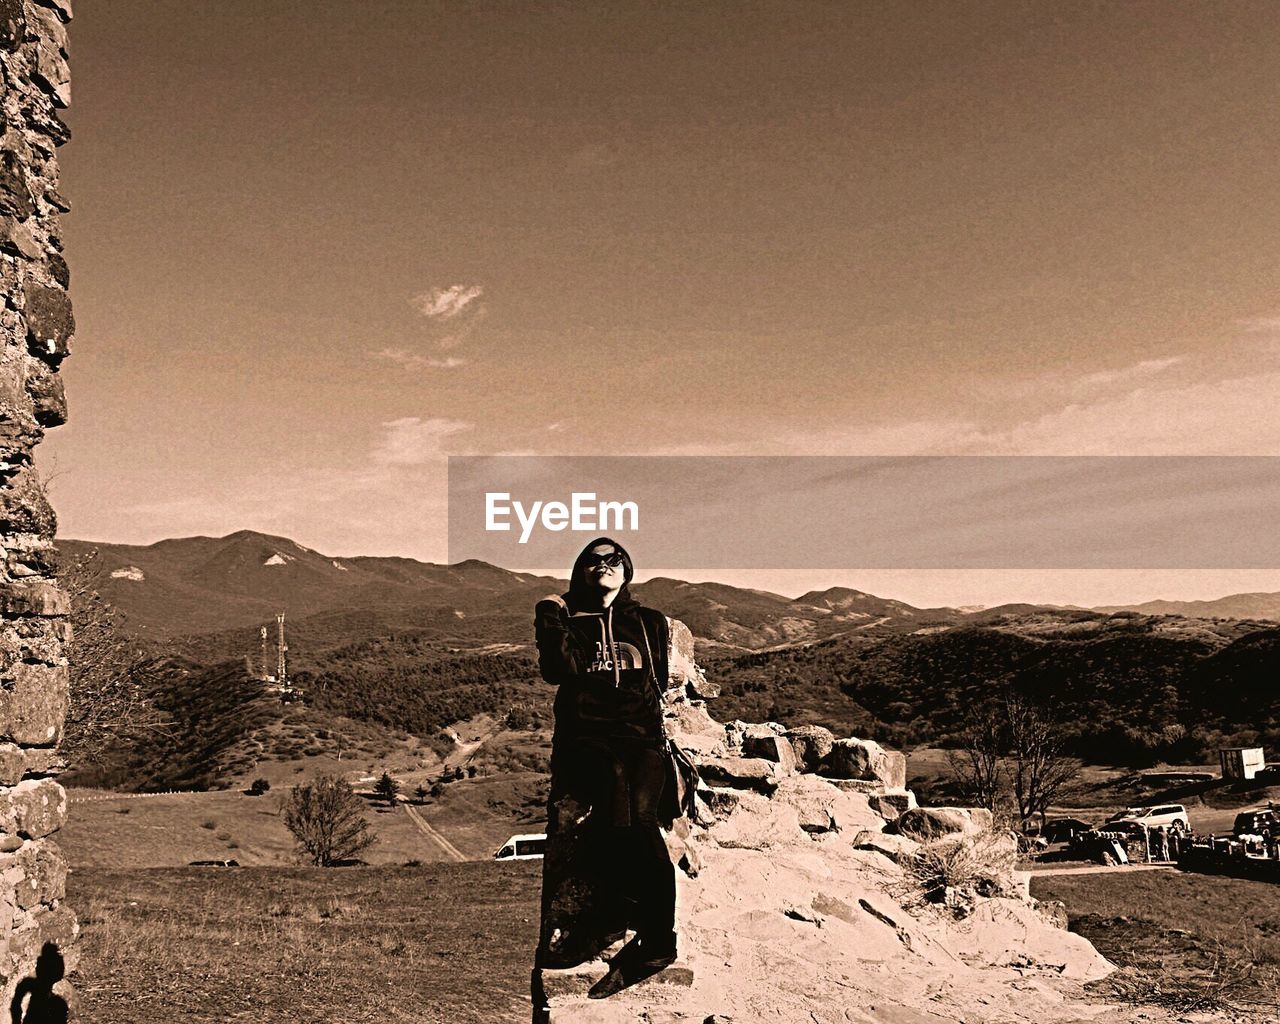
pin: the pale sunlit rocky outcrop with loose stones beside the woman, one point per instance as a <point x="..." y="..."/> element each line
<point x="815" y="890"/>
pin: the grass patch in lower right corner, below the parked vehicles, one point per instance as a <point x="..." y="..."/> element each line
<point x="1191" y="941"/>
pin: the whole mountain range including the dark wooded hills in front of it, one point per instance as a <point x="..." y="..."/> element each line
<point x="395" y="644"/>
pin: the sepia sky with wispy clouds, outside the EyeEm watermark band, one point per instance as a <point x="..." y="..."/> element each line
<point x="317" y="248"/>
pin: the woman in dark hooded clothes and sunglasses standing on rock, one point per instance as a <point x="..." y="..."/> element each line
<point x="607" y="866"/>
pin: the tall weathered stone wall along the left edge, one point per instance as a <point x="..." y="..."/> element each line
<point x="38" y="931"/>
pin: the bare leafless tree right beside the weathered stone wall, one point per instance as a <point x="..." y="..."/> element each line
<point x="111" y="674"/>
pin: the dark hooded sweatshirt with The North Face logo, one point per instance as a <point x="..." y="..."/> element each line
<point x="601" y="660"/>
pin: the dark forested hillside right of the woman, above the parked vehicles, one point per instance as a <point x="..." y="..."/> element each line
<point x="1127" y="691"/>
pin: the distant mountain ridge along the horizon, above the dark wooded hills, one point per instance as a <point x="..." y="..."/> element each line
<point x="225" y="589"/>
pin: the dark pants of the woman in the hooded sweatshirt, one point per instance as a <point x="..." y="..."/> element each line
<point x="623" y="783"/>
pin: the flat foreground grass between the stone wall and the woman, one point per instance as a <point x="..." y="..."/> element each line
<point x="447" y="944"/>
